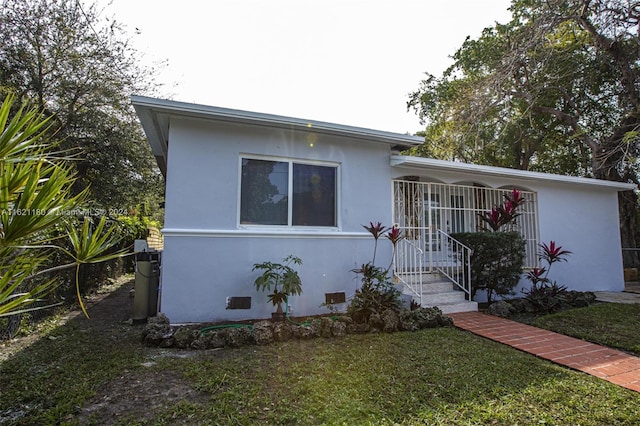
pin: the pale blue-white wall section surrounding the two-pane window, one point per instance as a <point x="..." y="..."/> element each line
<point x="208" y="256"/>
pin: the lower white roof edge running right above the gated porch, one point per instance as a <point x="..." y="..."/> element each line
<point x="512" y="174"/>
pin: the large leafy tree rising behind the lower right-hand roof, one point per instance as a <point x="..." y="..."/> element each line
<point x="557" y="89"/>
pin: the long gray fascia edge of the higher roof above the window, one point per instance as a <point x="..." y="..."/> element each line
<point x="226" y="114"/>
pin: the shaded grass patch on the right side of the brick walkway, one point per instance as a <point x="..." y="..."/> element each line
<point x="611" y="324"/>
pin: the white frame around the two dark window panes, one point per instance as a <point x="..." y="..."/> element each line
<point x="290" y="162"/>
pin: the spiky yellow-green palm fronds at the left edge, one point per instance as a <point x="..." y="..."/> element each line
<point x="35" y="196"/>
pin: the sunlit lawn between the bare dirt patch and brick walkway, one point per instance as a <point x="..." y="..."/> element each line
<point x="437" y="376"/>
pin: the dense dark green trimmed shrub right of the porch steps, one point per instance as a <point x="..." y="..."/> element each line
<point x="496" y="261"/>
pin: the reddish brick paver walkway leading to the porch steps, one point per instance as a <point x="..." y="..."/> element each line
<point x="609" y="364"/>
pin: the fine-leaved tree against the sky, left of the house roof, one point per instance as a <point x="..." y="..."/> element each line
<point x="81" y="73"/>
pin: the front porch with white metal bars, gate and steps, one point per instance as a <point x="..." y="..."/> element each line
<point x="430" y="264"/>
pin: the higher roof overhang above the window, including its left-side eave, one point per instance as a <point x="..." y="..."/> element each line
<point x="155" y="116"/>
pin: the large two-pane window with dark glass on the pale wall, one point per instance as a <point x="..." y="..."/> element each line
<point x="287" y="193"/>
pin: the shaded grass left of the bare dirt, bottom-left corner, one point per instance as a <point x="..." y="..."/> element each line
<point x="57" y="374"/>
